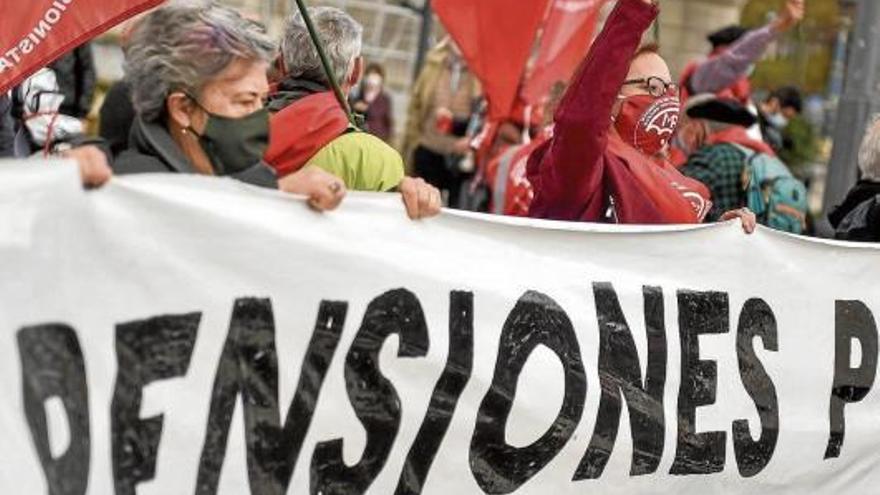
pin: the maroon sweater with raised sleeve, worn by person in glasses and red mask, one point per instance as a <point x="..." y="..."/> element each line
<point x="567" y="172"/>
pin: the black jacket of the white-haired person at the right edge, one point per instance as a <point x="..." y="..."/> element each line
<point x="858" y="218"/>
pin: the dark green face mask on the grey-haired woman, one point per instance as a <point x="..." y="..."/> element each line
<point x="235" y="145"/>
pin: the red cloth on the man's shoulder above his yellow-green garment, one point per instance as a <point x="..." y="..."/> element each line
<point x="301" y="129"/>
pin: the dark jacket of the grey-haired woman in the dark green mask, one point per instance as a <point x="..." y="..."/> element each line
<point x="152" y="150"/>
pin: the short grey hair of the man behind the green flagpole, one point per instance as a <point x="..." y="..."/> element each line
<point x="342" y="37"/>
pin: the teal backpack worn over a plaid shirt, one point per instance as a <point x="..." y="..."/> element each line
<point x="778" y="199"/>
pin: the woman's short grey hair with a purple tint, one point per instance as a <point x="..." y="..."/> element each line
<point x="183" y="46"/>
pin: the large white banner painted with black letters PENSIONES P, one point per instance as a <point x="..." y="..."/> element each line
<point x="175" y="335"/>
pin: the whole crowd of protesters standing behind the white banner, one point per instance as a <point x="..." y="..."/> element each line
<point x="622" y="140"/>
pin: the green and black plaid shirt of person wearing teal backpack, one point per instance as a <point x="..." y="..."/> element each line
<point x="720" y="167"/>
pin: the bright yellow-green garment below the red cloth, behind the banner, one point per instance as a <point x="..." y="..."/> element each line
<point x="363" y="161"/>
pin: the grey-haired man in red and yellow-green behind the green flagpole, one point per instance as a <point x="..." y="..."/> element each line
<point x="309" y="126"/>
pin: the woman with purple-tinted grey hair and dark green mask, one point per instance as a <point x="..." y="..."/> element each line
<point x="198" y="79"/>
